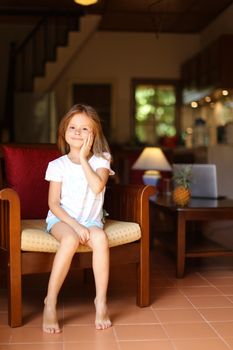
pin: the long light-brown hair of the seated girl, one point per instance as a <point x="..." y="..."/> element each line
<point x="100" y="144"/>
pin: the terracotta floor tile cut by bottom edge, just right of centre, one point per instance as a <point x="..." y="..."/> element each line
<point x="147" y="345"/>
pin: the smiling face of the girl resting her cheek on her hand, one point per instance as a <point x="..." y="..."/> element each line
<point x="79" y="128"/>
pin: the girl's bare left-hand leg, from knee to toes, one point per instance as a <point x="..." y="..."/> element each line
<point x="69" y="242"/>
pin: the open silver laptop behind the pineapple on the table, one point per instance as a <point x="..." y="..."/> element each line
<point x="204" y="180"/>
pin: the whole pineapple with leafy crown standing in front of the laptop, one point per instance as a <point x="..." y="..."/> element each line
<point x="182" y="180"/>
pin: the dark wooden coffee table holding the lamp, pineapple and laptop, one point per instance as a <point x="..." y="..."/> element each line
<point x="196" y="210"/>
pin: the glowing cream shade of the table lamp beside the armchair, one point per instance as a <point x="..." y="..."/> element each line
<point x="152" y="158"/>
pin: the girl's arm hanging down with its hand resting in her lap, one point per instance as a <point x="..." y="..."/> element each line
<point x="60" y="213"/>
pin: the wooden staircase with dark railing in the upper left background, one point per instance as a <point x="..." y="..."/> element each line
<point x="34" y="69"/>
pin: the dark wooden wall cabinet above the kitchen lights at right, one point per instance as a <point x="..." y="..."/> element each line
<point x="211" y="67"/>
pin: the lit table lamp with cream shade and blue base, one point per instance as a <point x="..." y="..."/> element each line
<point x="152" y="160"/>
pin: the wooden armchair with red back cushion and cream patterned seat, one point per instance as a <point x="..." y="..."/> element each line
<point x="26" y="249"/>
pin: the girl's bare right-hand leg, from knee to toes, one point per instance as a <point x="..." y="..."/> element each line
<point x="99" y="244"/>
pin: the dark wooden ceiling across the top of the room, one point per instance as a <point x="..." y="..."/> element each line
<point x="168" y="16"/>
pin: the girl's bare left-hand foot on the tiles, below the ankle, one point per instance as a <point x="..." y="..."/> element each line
<point x="50" y="323"/>
